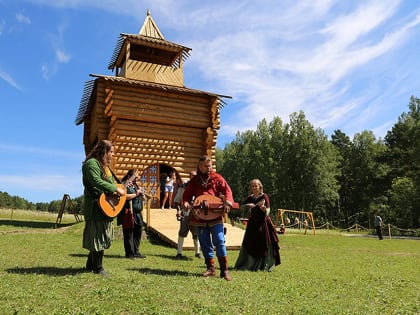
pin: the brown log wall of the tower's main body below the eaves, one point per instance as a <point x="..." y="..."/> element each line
<point x="153" y="126"/>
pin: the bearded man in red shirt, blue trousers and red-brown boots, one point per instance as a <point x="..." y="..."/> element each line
<point x="210" y="233"/>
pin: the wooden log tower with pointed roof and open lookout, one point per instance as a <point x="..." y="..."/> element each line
<point x="155" y="123"/>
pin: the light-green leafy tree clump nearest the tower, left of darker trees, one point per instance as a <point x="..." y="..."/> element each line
<point x="297" y="165"/>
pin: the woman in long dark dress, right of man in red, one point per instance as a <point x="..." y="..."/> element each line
<point x="260" y="247"/>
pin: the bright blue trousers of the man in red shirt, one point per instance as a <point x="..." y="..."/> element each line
<point x="210" y="237"/>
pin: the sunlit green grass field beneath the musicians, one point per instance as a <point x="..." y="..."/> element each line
<point x="41" y="272"/>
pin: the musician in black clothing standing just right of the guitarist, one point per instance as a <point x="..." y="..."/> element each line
<point x="131" y="217"/>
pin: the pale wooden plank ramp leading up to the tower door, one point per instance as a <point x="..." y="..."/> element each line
<point x="165" y="225"/>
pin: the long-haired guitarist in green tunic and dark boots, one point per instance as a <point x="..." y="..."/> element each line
<point x="97" y="179"/>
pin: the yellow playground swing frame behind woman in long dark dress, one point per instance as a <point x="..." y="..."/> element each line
<point x="301" y="220"/>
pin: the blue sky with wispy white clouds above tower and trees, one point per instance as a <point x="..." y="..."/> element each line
<point x="348" y="65"/>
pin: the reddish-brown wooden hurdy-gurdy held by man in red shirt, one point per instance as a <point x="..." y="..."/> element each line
<point x="208" y="207"/>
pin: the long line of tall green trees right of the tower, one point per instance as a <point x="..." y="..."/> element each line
<point x="342" y="181"/>
